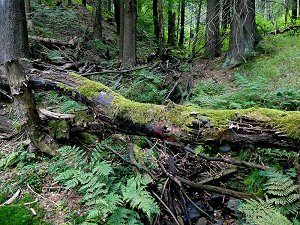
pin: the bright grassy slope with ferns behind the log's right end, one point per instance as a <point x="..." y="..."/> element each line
<point x="271" y="81"/>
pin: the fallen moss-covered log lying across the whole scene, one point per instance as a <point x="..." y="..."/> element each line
<point x="186" y="124"/>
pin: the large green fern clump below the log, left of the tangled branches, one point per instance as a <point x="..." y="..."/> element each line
<point x="110" y="199"/>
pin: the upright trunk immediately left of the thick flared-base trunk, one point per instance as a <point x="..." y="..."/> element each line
<point x="212" y="43"/>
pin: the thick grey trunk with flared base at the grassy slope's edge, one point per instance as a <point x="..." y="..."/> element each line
<point x="243" y="35"/>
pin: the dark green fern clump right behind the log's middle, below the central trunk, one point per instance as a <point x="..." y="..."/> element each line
<point x="145" y="88"/>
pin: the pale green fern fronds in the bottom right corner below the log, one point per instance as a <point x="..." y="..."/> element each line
<point x="282" y="199"/>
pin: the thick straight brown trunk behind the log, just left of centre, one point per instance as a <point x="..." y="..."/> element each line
<point x="129" y="43"/>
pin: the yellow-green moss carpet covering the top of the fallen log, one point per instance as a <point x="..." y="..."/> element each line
<point x="179" y="116"/>
